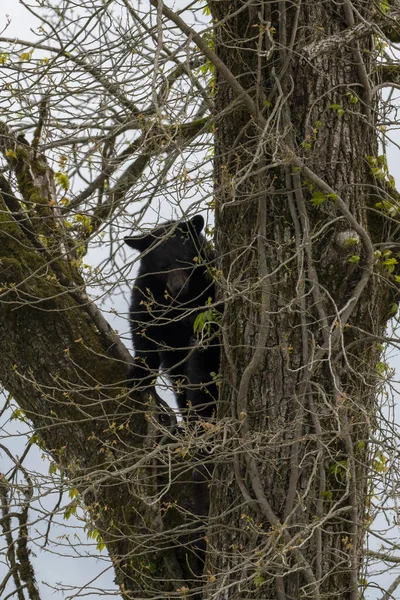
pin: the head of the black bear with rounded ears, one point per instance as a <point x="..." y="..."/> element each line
<point x="171" y="253"/>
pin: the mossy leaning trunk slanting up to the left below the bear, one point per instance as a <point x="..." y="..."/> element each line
<point x="66" y="368"/>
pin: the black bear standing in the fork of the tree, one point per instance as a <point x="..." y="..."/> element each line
<point x="172" y="288"/>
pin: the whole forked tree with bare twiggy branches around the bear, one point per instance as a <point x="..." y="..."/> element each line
<point x="107" y="121"/>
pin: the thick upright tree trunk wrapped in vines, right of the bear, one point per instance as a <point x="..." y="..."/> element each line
<point x="303" y="306"/>
